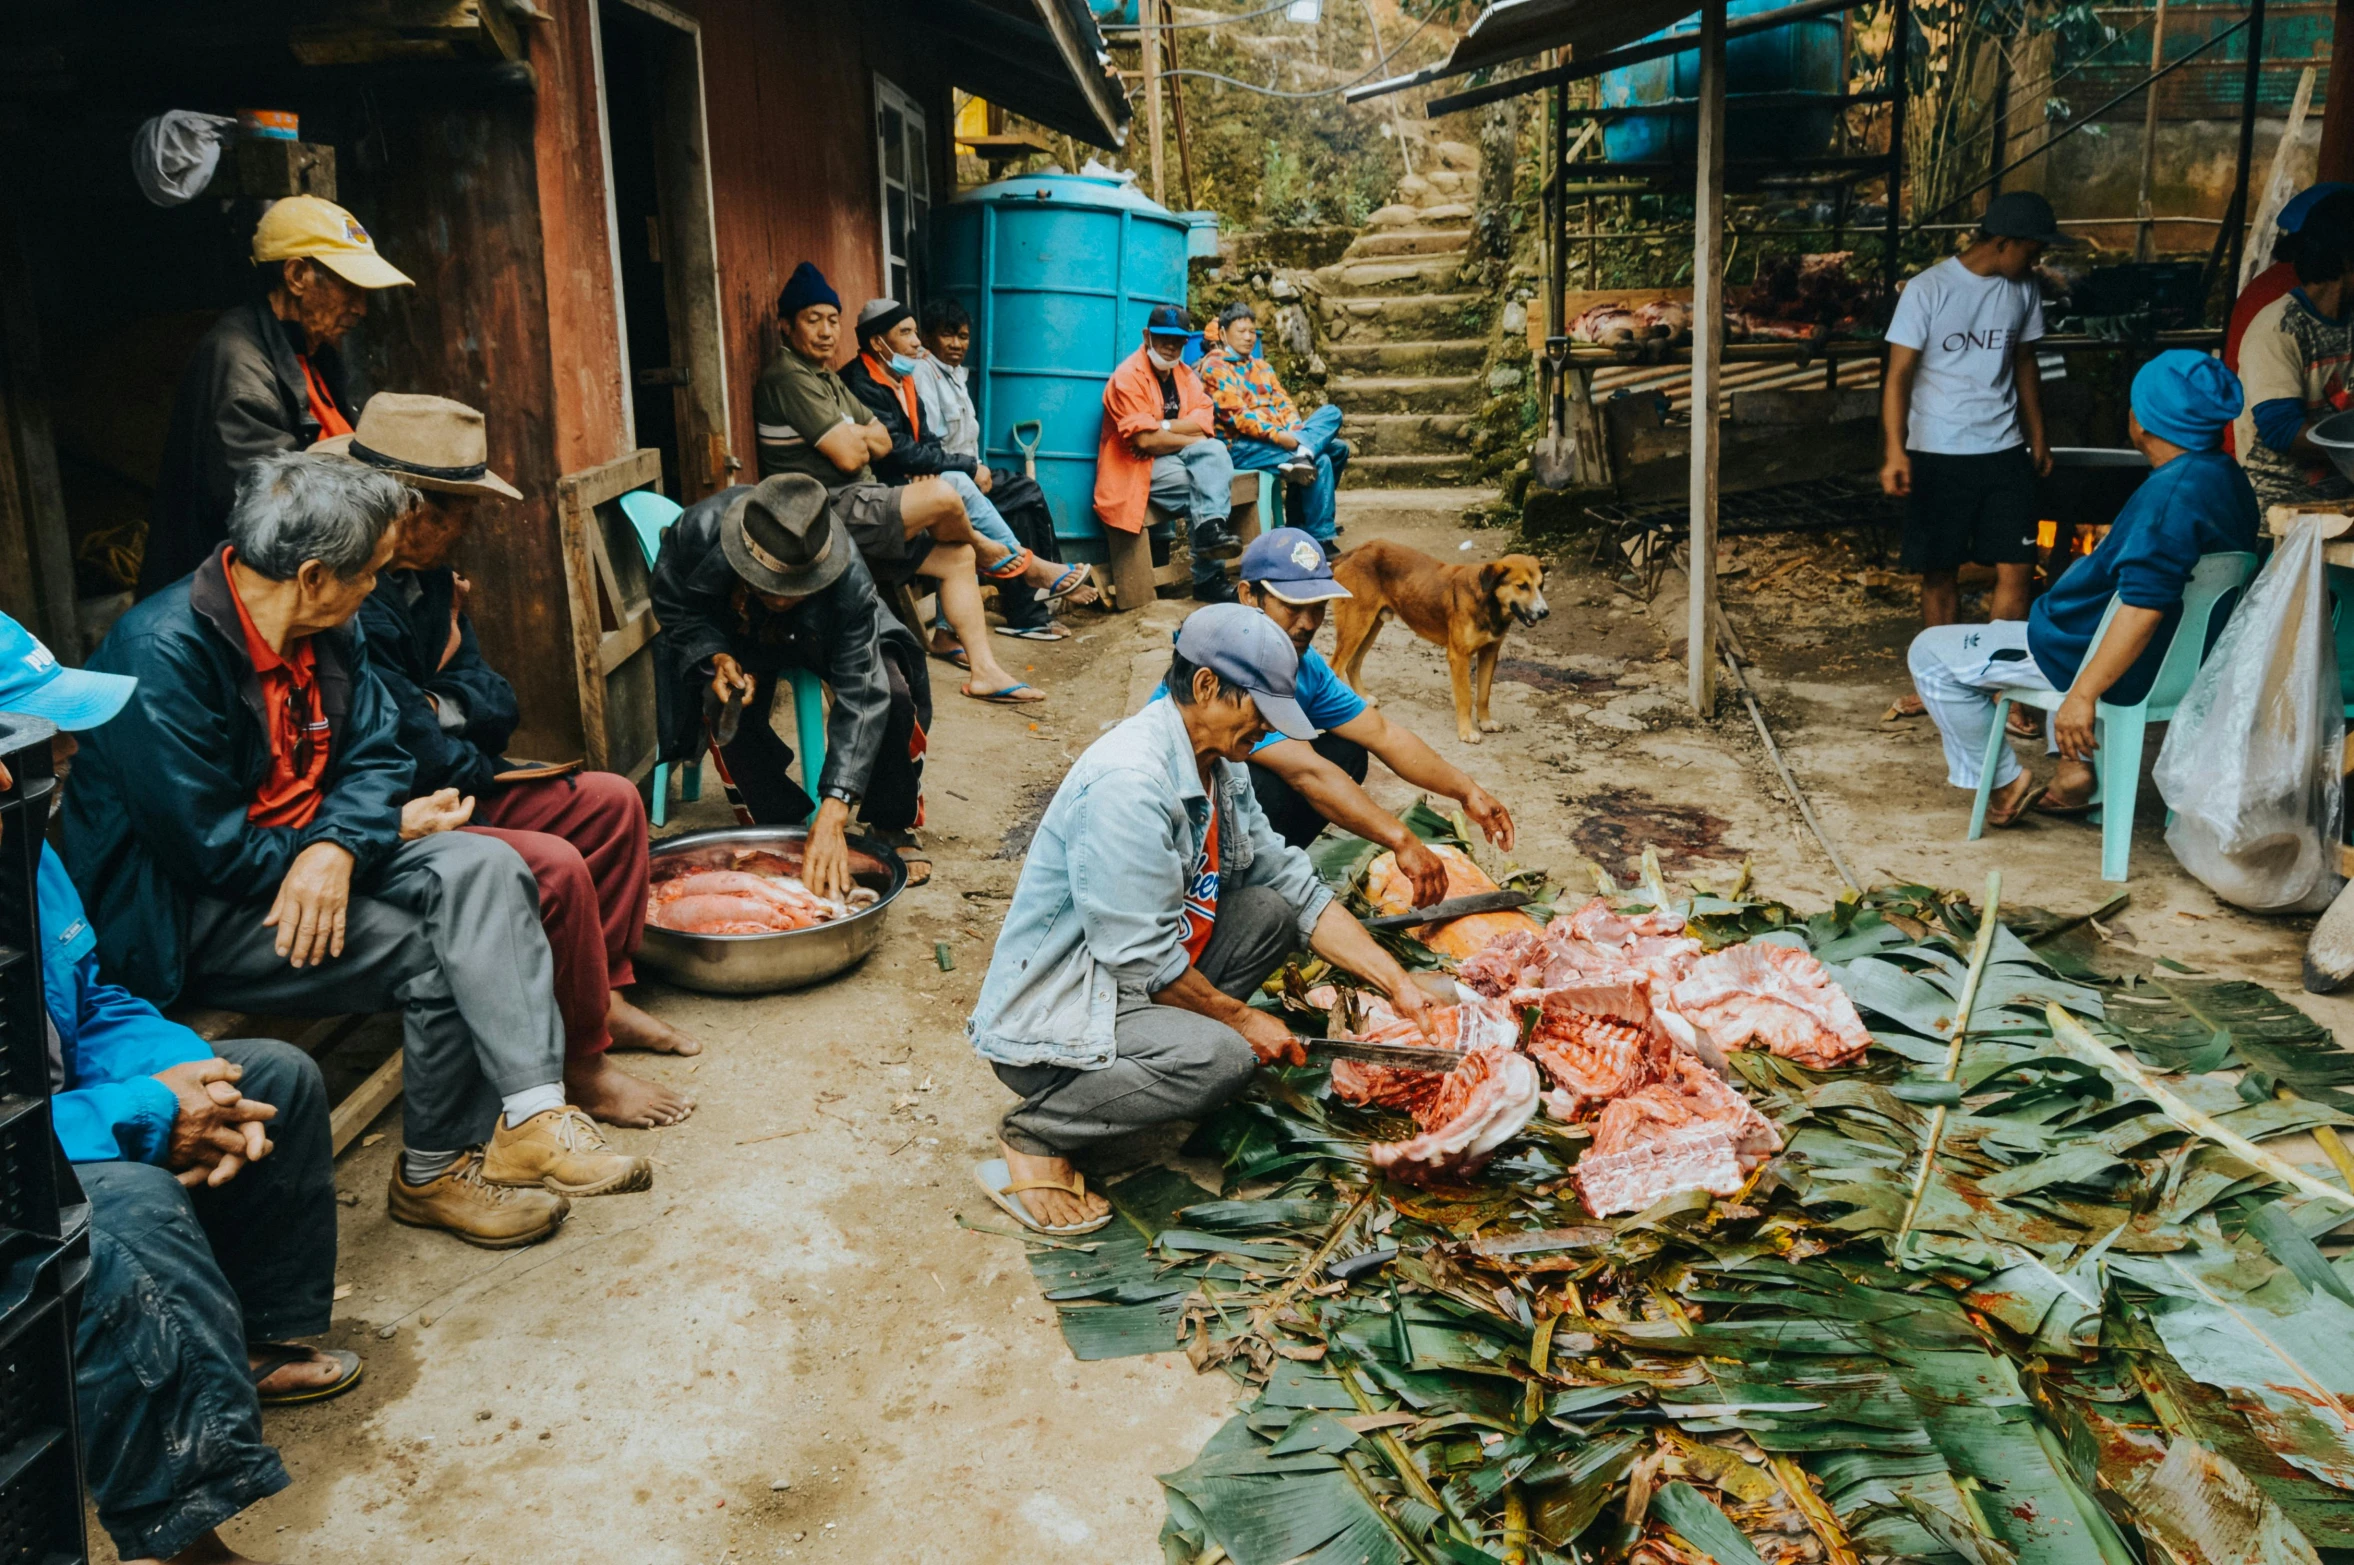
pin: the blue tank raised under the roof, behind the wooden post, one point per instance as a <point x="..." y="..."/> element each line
<point x="1797" y="58"/>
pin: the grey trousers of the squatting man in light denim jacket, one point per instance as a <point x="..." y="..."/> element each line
<point x="1169" y="1063"/>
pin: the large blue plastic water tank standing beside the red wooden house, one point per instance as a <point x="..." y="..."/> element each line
<point x="1058" y="274"/>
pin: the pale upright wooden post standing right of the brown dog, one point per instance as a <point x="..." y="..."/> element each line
<point x="1708" y="349"/>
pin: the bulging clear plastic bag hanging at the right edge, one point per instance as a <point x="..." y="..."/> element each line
<point x="2252" y="757"/>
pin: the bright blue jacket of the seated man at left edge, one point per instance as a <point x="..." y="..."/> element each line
<point x="112" y="1107"/>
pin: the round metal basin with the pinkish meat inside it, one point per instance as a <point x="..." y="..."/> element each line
<point x="700" y="891"/>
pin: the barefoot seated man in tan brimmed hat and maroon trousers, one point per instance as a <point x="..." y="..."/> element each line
<point x="580" y="834"/>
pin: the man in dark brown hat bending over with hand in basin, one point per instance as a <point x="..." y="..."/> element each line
<point x="764" y="578"/>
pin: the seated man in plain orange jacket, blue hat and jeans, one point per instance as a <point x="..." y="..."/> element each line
<point x="1157" y="446"/>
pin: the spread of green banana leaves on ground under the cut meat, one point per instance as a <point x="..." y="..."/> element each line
<point x="2099" y="1336"/>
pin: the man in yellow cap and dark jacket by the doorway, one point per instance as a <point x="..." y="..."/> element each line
<point x="267" y="378"/>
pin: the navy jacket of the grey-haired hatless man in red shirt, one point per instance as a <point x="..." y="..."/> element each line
<point x="157" y="811"/>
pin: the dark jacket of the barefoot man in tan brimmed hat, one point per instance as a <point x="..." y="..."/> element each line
<point x="404" y="646"/>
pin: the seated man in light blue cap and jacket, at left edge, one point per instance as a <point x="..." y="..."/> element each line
<point x="211" y="1185"/>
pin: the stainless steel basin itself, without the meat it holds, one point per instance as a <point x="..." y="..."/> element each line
<point x="769" y="964"/>
